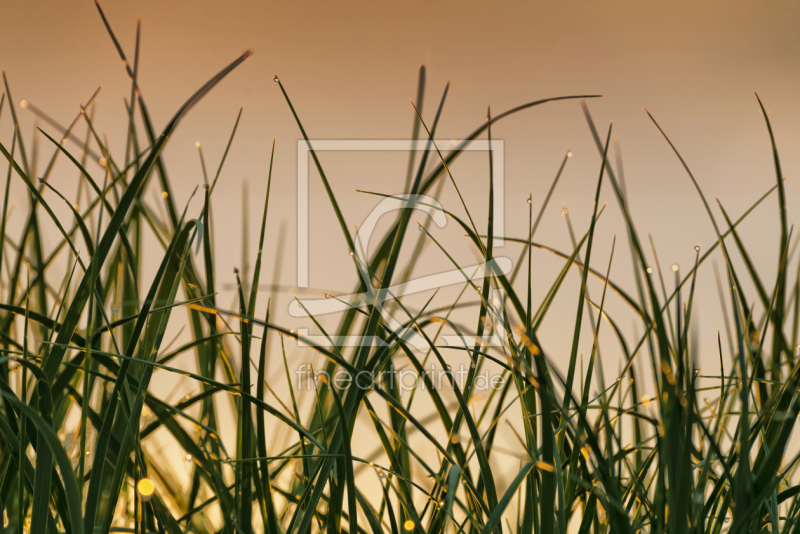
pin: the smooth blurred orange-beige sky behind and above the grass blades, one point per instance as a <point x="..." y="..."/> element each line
<point x="350" y="68"/>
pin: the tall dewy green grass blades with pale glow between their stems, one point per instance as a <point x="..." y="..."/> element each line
<point x="704" y="454"/>
